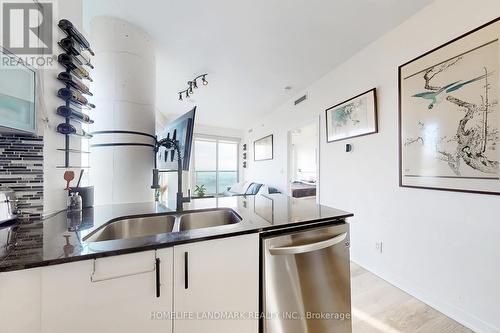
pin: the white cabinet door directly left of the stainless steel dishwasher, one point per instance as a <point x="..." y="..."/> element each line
<point x="217" y="278"/>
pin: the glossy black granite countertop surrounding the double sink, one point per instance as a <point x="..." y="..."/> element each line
<point x="58" y="239"/>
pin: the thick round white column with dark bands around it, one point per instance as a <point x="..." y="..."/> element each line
<point x="124" y="93"/>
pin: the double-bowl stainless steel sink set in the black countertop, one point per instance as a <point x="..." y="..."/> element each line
<point x="151" y="225"/>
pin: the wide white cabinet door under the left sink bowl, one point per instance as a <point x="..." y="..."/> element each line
<point x="117" y="300"/>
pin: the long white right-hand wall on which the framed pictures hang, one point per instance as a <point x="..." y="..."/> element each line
<point x="441" y="247"/>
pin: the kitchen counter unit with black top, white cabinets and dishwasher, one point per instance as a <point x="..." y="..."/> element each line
<point x="67" y="272"/>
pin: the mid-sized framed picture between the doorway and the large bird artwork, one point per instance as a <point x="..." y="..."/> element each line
<point x="352" y="118"/>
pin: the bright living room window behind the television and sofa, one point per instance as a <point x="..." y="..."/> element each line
<point x="215" y="163"/>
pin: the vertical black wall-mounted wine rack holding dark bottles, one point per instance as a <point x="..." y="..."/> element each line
<point x="76" y="61"/>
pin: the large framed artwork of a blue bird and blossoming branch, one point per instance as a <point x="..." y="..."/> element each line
<point x="448" y="115"/>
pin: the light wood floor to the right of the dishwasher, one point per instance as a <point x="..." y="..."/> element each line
<point x="378" y="306"/>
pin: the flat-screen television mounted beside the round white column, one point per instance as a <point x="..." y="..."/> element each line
<point x="182" y="130"/>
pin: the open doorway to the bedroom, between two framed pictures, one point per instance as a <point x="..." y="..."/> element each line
<point x="303" y="162"/>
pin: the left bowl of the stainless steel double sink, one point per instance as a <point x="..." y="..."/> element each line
<point x="133" y="227"/>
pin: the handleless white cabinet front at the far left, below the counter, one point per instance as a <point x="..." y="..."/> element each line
<point x="20" y="301"/>
